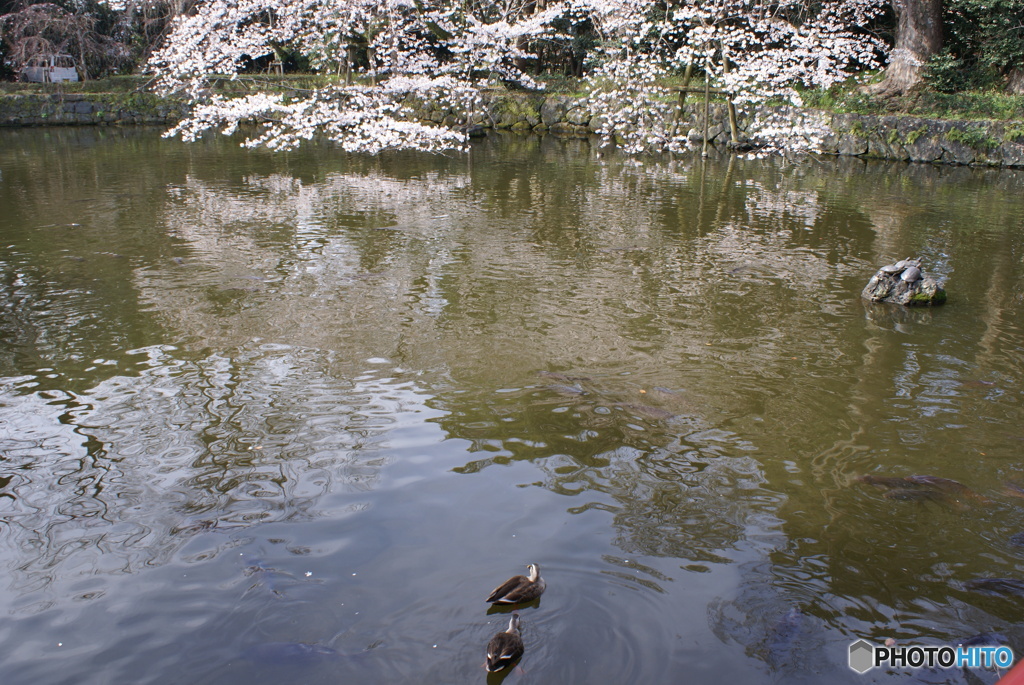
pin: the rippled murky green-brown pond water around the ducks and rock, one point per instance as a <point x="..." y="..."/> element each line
<point x="289" y="418"/>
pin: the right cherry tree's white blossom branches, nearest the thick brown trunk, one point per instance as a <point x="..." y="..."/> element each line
<point x="751" y="52"/>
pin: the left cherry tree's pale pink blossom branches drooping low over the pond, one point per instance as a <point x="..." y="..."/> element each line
<point x="438" y="53"/>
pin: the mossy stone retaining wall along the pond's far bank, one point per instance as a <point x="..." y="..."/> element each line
<point x="891" y="138"/>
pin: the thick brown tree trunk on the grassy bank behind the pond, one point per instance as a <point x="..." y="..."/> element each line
<point x="919" y="36"/>
